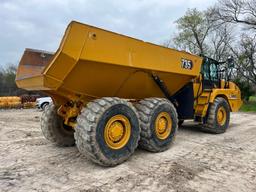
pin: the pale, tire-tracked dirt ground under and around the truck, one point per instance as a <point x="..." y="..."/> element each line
<point x="196" y="162"/>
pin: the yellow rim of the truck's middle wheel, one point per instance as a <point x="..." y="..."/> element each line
<point x="163" y="125"/>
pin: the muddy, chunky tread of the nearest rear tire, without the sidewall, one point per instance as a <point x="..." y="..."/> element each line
<point x="85" y="132"/>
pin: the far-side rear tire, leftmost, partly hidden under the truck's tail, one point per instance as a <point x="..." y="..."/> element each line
<point x="54" y="129"/>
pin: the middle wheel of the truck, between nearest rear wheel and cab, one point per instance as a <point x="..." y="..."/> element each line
<point x="159" y="124"/>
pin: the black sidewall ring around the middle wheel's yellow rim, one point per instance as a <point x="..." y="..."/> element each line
<point x="159" y="142"/>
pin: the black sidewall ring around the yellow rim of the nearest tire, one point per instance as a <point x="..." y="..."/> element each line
<point x="118" y="109"/>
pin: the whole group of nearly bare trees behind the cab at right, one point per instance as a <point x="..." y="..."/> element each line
<point x="225" y="29"/>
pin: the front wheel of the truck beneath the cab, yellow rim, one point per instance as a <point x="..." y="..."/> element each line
<point x="218" y="117"/>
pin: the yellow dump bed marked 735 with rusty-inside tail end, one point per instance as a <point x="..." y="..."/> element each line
<point x="92" y="62"/>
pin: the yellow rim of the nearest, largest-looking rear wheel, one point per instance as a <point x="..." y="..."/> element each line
<point x="117" y="132"/>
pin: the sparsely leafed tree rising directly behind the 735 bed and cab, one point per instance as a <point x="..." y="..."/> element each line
<point x="198" y="33"/>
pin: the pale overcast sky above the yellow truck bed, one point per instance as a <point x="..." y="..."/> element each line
<point x="40" y="24"/>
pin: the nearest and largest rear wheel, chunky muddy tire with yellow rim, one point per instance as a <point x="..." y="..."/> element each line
<point x="108" y="131"/>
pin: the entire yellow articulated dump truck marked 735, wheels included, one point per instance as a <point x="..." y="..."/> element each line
<point x="112" y="93"/>
